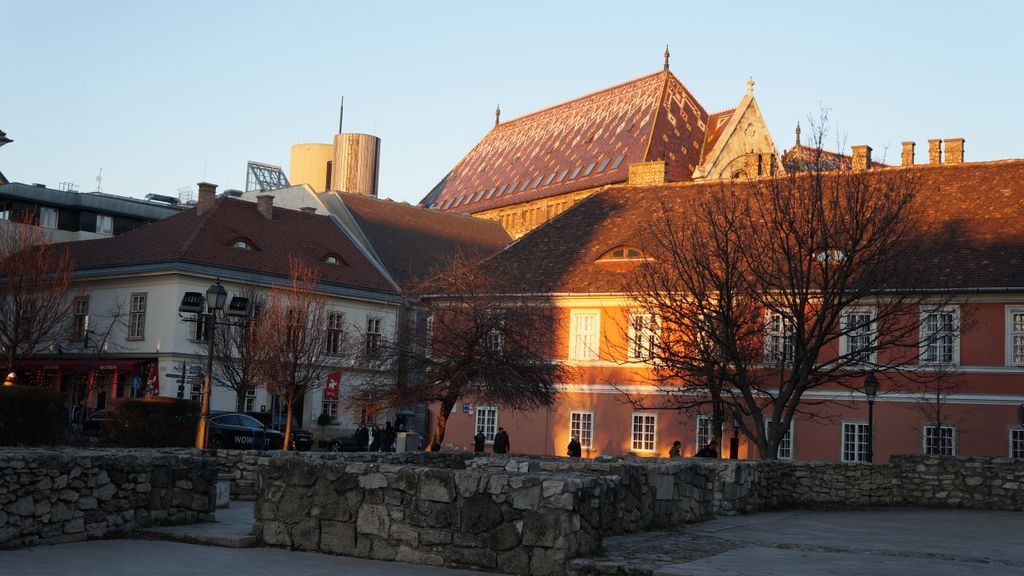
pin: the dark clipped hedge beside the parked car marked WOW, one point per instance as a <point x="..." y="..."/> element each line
<point x="155" y="423"/>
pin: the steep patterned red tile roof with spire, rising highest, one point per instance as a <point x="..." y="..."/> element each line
<point x="579" y="145"/>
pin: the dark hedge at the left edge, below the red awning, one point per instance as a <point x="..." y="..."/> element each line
<point x="30" y="416"/>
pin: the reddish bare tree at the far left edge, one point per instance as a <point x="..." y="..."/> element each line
<point x="35" y="290"/>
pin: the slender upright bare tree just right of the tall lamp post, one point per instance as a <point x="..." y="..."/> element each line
<point x="294" y="339"/>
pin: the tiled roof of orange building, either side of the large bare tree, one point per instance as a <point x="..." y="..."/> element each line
<point x="974" y="211"/>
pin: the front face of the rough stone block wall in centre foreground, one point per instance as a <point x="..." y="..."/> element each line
<point x="513" y="522"/>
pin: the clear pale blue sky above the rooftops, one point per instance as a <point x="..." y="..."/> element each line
<point x="164" y="95"/>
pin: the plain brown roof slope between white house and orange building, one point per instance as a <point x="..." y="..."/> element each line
<point x="414" y="242"/>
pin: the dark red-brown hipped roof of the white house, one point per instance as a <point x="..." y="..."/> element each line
<point x="209" y="240"/>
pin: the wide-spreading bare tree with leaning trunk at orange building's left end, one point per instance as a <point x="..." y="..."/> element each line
<point x="484" y="342"/>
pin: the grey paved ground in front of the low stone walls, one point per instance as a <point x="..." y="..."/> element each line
<point x="910" y="543"/>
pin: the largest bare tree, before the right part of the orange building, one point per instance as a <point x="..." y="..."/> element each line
<point x="769" y="290"/>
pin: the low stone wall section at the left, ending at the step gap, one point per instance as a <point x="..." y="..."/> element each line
<point x="52" y="496"/>
